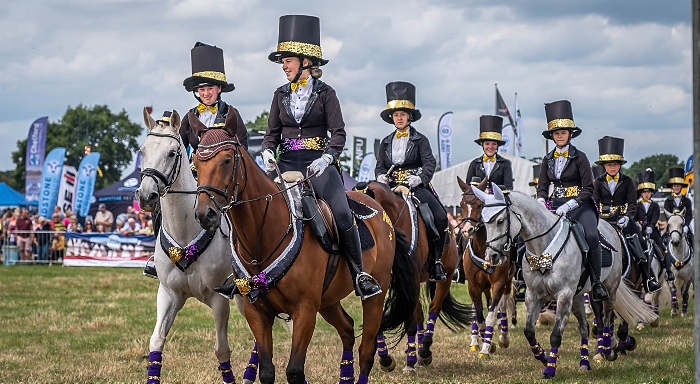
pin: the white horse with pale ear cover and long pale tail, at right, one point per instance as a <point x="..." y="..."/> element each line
<point x="552" y="269"/>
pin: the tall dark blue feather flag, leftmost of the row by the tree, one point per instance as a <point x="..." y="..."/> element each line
<point x="34" y="159"/>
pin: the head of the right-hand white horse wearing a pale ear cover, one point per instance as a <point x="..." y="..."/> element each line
<point x="496" y="215"/>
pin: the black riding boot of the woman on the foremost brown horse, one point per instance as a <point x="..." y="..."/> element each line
<point x="365" y="285"/>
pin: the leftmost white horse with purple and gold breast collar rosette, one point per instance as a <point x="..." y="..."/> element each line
<point x="166" y="177"/>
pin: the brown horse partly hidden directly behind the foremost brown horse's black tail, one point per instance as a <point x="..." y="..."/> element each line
<point x="453" y="313"/>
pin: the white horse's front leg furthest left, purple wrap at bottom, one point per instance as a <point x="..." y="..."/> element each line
<point x="167" y="306"/>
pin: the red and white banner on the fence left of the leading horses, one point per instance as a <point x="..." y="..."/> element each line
<point x="107" y="250"/>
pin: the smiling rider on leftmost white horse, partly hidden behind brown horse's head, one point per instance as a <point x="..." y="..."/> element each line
<point x="207" y="83"/>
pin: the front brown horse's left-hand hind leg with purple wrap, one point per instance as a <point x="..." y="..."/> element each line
<point x="336" y="316"/>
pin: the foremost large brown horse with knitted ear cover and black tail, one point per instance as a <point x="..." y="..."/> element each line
<point x="270" y="235"/>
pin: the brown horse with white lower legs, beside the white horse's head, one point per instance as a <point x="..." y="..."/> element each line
<point x="490" y="277"/>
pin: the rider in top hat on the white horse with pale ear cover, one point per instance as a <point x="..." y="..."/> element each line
<point x="569" y="170"/>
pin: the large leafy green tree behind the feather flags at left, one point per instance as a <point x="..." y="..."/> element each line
<point x="112" y="135"/>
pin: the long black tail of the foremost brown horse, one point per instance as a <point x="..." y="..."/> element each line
<point x="402" y="297"/>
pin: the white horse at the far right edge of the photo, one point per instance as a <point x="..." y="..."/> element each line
<point x="681" y="260"/>
